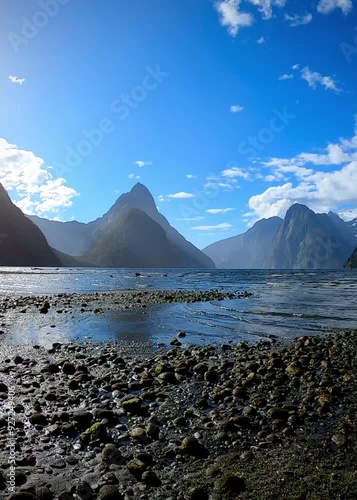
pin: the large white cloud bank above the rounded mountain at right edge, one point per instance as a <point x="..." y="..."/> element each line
<point x="309" y="179"/>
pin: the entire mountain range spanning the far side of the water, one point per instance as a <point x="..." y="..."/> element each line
<point x="134" y="234"/>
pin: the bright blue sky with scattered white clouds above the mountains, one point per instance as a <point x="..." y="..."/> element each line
<point x="227" y="110"/>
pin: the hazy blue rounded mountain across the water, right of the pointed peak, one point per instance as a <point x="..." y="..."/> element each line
<point x="303" y="240"/>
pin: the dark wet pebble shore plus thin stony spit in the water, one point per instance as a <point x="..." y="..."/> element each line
<point x="258" y="421"/>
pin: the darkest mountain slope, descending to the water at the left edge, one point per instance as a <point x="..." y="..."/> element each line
<point x="21" y="241"/>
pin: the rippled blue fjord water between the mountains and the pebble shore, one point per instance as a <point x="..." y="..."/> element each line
<point x="284" y="303"/>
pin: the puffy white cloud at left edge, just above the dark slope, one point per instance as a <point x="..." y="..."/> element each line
<point x="24" y="174"/>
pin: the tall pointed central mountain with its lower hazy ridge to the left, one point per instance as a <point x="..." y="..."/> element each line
<point x="93" y="242"/>
